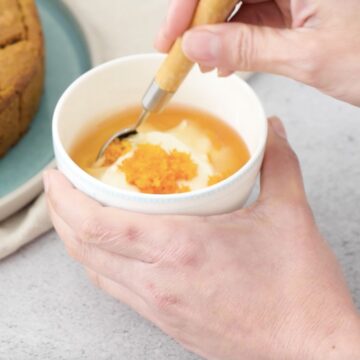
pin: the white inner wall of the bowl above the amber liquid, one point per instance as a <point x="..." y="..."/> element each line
<point x="120" y="84"/>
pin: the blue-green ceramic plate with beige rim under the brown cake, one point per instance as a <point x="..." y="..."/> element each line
<point x="67" y="57"/>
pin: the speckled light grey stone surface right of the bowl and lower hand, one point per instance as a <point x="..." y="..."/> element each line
<point x="325" y="133"/>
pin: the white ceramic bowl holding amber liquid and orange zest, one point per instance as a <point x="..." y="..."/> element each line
<point x="121" y="83"/>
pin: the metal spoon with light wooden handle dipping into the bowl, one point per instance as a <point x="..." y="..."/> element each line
<point x="175" y="67"/>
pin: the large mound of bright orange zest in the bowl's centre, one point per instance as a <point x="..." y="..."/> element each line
<point x="154" y="171"/>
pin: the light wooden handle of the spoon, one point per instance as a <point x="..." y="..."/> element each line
<point x="176" y="65"/>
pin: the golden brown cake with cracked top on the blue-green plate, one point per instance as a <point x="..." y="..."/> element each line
<point x="21" y="69"/>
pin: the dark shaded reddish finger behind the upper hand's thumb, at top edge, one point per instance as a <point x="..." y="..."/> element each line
<point x="263" y="14"/>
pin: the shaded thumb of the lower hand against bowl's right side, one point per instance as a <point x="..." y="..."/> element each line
<point x="281" y="175"/>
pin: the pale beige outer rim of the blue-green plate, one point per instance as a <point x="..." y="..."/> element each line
<point x="29" y="190"/>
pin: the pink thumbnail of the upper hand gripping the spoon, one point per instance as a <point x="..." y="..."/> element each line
<point x="202" y="46"/>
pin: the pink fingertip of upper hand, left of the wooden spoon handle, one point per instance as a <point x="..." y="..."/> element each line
<point x="178" y="19"/>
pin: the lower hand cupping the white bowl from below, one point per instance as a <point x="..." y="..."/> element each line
<point x="260" y="283"/>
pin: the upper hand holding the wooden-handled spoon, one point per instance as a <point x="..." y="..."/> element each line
<point x="312" y="41"/>
